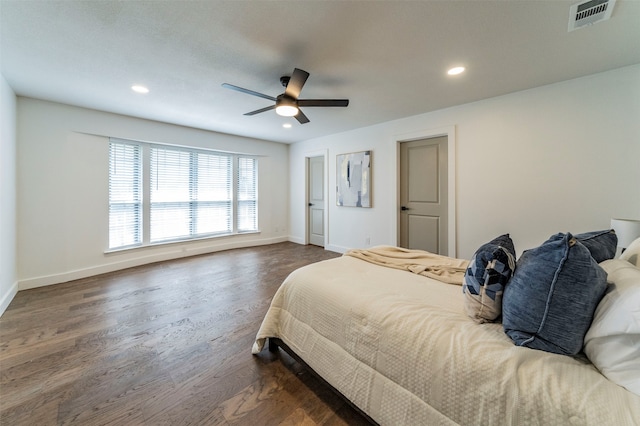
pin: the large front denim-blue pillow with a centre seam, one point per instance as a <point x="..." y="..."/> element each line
<point x="549" y="302"/>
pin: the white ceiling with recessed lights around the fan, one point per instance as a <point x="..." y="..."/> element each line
<point x="388" y="57"/>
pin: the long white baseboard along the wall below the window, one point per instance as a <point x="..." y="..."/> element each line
<point x="143" y="259"/>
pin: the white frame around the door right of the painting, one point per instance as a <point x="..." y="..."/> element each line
<point x="450" y="133"/>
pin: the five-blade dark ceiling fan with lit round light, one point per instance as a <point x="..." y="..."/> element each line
<point x="287" y="104"/>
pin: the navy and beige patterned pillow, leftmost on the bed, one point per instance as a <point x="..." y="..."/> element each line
<point x="489" y="271"/>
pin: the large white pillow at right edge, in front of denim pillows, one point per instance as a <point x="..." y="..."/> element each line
<point x="612" y="343"/>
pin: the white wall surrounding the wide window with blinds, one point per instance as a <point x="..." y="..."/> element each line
<point x="63" y="190"/>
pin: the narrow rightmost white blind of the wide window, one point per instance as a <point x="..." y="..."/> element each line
<point x="247" y="195"/>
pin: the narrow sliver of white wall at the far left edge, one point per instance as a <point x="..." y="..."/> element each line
<point x="8" y="275"/>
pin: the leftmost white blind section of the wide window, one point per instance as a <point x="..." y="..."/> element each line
<point x="125" y="195"/>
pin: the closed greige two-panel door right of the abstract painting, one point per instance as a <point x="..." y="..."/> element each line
<point x="423" y="195"/>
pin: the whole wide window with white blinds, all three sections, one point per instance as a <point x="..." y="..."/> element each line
<point x="187" y="194"/>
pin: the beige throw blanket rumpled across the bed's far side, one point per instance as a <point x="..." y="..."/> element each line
<point x="442" y="268"/>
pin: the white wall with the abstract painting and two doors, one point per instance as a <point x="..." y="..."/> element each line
<point x="563" y="157"/>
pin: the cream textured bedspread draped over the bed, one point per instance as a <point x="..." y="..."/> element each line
<point x="400" y="346"/>
